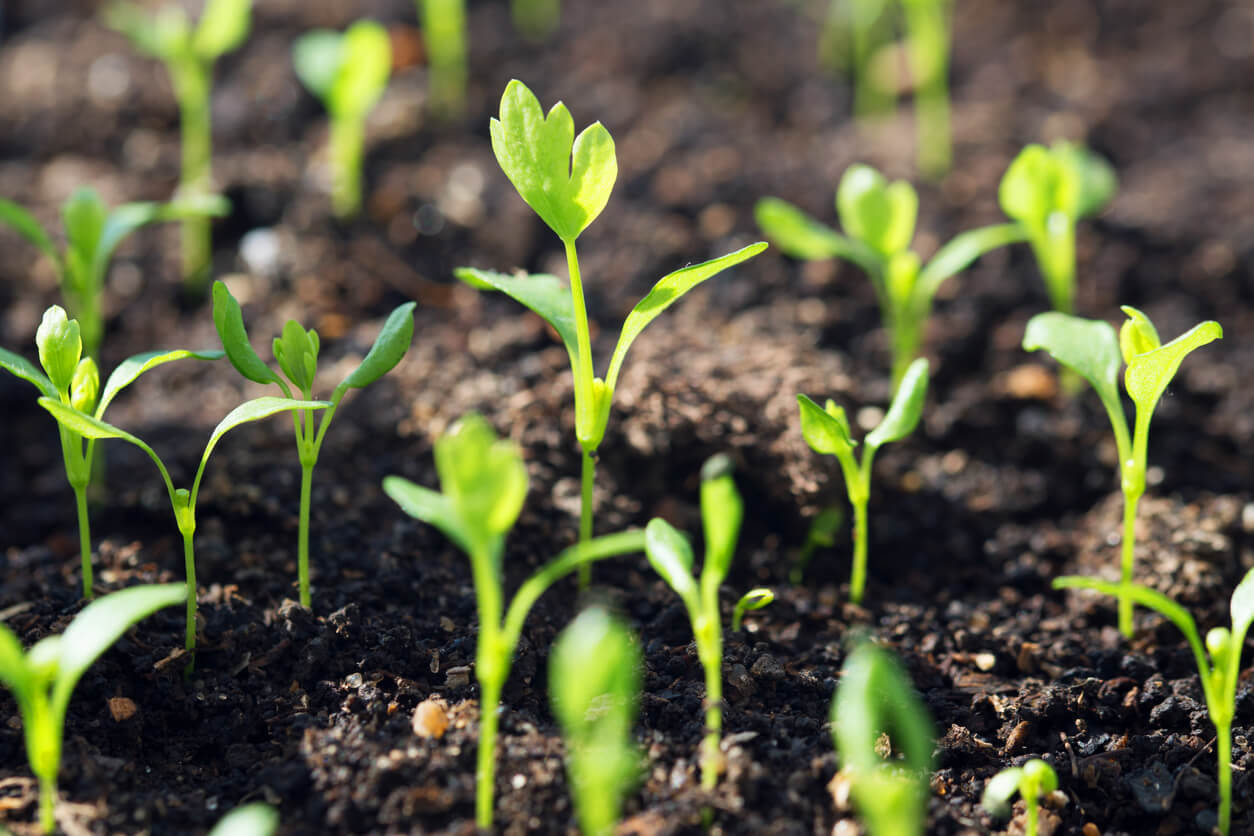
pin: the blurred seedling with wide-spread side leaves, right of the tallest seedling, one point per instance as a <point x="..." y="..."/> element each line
<point x="878" y="219"/>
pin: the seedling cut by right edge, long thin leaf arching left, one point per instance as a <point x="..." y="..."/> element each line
<point x="1220" y="671"/>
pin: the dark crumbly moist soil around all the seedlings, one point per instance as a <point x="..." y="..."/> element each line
<point x="714" y="103"/>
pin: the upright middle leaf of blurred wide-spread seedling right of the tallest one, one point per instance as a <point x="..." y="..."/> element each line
<point x="880" y="214"/>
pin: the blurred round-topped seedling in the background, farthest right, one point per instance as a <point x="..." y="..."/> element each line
<point x="1046" y="192"/>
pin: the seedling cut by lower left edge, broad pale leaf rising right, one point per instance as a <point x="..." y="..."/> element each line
<point x="43" y="680"/>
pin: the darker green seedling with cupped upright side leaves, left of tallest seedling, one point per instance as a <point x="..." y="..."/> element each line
<point x="297" y="352"/>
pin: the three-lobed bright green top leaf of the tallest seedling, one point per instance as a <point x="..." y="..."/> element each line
<point x="566" y="180"/>
